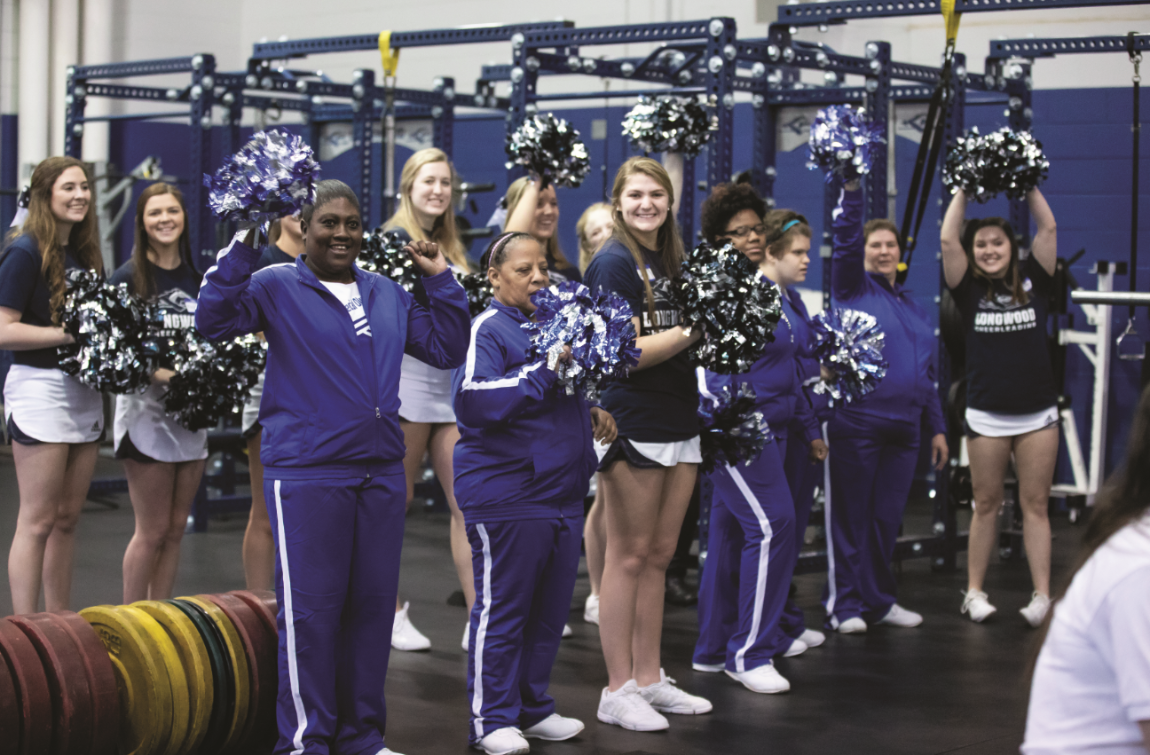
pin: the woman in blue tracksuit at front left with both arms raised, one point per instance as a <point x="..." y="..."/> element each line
<point x="333" y="454"/>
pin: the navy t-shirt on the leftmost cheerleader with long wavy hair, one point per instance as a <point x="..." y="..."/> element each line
<point x="25" y="289"/>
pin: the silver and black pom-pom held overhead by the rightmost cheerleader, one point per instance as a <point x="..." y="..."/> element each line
<point x="1002" y="163"/>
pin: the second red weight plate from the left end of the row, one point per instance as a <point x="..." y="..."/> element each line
<point x="72" y="702"/>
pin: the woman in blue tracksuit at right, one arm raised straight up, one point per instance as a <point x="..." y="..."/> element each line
<point x="877" y="438"/>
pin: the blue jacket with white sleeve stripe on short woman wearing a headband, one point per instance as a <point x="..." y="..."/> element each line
<point x="525" y="450"/>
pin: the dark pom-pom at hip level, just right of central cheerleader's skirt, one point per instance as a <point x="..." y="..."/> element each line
<point x="732" y="432"/>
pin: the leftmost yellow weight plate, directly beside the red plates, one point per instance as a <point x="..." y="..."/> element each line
<point x="142" y="677"/>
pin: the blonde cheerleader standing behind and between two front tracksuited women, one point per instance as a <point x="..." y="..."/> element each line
<point x="426" y="414"/>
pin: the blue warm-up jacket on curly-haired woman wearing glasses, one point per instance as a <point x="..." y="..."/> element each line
<point x="776" y="381"/>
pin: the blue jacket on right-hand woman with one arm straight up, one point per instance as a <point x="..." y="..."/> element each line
<point x="909" y="348"/>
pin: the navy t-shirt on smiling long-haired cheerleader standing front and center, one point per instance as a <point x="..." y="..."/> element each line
<point x="658" y="405"/>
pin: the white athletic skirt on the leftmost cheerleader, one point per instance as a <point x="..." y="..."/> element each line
<point x="52" y="407"/>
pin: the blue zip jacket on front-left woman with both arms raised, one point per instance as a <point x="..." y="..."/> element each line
<point x="331" y="398"/>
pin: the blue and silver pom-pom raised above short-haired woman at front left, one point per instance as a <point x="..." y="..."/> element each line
<point x="273" y="176"/>
